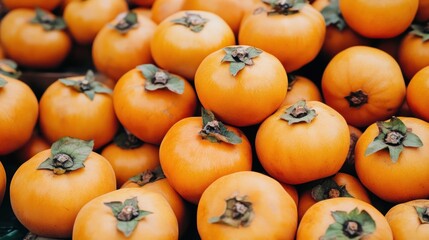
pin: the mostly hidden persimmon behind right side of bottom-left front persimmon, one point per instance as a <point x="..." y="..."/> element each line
<point x="154" y="180"/>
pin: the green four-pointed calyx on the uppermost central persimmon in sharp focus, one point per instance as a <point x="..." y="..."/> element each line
<point x="239" y="57"/>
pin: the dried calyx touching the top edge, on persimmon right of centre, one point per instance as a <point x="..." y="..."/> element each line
<point x="281" y="7"/>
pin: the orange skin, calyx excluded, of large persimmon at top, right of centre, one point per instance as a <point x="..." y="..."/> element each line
<point x="294" y="39"/>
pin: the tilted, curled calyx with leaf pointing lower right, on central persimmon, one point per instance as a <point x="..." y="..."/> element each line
<point x="215" y="131"/>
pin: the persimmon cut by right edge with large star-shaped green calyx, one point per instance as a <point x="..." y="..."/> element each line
<point x="391" y="159"/>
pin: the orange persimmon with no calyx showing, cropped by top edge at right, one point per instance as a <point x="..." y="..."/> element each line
<point x="386" y="12"/>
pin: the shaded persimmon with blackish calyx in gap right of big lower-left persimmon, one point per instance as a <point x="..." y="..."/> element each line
<point x="129" y="156"/>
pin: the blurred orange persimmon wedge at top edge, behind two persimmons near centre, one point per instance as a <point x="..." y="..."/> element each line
<point x="232" y="11"/>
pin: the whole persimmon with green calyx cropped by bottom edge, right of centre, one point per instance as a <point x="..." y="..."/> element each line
<point x="343" y="218"/>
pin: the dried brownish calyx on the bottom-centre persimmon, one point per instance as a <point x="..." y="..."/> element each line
<point x="238" y="212"/>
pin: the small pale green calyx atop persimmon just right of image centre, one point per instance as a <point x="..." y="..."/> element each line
<point x="299" y="112"/>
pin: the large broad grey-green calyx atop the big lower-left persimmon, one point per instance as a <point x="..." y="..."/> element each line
<point x="67" y="154"/>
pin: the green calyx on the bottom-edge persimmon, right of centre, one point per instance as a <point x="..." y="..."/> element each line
<point x="351" y="225"/>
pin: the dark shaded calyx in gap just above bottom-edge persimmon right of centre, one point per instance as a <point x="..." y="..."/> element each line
<point x="328" y="188"/>
